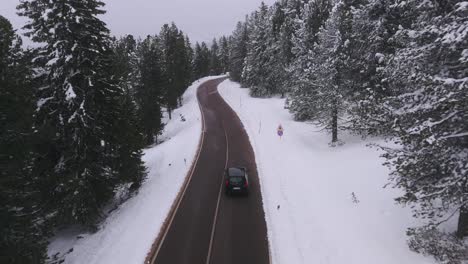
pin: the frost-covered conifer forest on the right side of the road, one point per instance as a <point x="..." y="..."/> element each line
<point x="391" y="68"/>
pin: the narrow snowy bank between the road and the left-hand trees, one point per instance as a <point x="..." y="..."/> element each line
<point x="128" y="233"/>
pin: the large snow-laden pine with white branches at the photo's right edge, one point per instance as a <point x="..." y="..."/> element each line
<point x="429" y="112"/>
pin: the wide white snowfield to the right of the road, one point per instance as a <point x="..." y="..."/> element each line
<point x="319" y="219"/>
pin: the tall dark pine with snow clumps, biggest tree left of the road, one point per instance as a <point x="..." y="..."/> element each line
<point x="74" y="118"/>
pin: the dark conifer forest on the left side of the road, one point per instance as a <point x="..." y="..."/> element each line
<point x="76" y="113"/>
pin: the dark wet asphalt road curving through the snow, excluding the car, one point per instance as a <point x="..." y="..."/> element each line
<point x="208" y="227"/>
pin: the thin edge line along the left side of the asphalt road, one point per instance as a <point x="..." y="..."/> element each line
<point x="159" y="241"/>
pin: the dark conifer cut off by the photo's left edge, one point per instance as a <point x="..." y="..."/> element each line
<point x="22" y="237"/>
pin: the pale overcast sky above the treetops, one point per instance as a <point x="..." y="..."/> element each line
<point x="200" y="19"/>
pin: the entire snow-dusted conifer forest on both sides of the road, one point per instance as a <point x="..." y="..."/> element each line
<point x="79" y="108"/>
